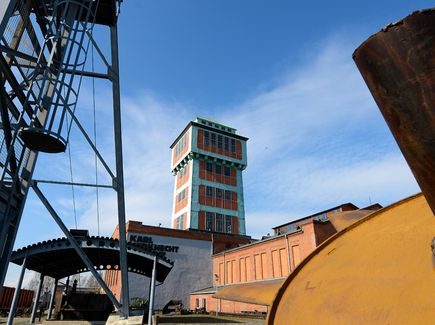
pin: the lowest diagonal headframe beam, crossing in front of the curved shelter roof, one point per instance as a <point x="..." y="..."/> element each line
<point x="76" y="246"/>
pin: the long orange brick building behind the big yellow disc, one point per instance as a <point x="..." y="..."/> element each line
<point x="272" y="258"/>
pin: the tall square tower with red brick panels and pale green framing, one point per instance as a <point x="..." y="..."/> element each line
<point x="207" y="160"/>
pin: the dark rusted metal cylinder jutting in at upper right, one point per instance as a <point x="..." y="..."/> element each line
<point x="398" y="66"/>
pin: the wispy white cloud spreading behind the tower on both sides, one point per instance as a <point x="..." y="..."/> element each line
<point x="316" y="140"/>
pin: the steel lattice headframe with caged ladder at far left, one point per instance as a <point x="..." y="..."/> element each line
<point x="49" y="82"/>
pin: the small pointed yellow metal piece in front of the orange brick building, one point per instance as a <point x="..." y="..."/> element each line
<point x="259" y="293"/>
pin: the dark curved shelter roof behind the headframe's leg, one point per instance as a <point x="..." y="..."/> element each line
<point x="58" y="259"/>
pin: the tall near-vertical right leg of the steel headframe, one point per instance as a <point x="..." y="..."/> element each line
<point x="119" y="172"/>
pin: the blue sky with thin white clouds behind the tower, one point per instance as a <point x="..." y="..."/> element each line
<point x="281" y="72"/>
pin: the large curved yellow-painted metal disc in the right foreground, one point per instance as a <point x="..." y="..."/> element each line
<point x="380" y="270"/>
